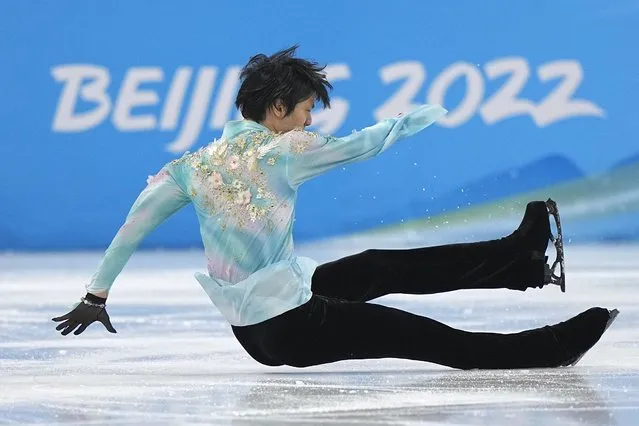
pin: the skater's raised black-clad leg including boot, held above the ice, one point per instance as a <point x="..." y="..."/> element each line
<point x="515" y="262"/>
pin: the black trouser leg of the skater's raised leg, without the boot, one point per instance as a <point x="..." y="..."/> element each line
<point x="374" y="273"/>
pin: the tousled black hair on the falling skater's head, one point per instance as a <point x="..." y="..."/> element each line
<point x="266" y="79"/>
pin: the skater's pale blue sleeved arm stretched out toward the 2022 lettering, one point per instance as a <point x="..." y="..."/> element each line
<point x="312" y="154"/>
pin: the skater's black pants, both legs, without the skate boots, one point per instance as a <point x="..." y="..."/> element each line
<point x="338" y="323"/>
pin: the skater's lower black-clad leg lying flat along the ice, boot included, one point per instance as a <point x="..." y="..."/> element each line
<point x="325" y="331"/>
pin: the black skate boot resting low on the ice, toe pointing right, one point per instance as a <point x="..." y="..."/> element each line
<point x="577" y="335"/>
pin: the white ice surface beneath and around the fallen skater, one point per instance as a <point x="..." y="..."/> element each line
<point x="174" y="360"/>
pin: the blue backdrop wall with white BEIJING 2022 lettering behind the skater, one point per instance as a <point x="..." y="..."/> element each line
<point x="97" y="96"/>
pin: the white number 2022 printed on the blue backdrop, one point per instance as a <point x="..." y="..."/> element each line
<point x="505" y="103"/>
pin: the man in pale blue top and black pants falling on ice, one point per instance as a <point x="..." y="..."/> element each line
<point x="288" y="310"/>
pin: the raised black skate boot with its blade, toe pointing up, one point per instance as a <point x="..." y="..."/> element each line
<point x="534" y="232"/>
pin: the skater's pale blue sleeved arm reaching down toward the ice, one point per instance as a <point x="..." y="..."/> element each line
<point x="160" y="199"/>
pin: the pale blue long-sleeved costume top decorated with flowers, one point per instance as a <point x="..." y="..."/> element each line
<point x="244" y="188"/>
